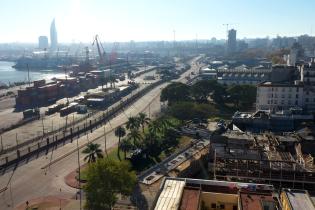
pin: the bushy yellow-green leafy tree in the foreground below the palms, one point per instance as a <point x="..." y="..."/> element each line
<point x="105" y="179"/>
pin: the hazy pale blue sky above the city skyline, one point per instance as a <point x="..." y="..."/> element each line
<point x="141" y="20"/>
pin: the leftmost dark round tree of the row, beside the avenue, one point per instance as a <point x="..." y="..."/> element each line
<point x="175" y="92"/>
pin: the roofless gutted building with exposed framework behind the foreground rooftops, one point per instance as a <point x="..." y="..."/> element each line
<point x="283" y="161"/>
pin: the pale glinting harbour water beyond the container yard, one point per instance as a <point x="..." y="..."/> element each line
<point x="8" y="74"/>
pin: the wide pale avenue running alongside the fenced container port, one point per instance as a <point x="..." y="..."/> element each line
<point x="31" y="181"/>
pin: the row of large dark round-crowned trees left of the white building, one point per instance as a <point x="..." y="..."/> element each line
<point x="203" y="91"/>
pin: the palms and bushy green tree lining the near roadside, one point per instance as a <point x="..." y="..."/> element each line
<point x="107" y="177"/>
